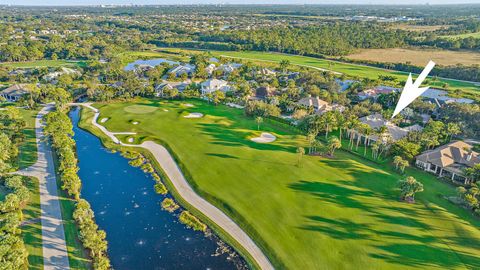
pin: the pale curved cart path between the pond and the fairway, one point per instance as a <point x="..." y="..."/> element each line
<point x="173" y="172"/>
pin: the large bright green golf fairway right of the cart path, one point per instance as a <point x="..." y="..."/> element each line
<point x="340" y="213"/>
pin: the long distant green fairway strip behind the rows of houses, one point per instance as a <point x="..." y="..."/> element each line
<point x="468" y="89"/>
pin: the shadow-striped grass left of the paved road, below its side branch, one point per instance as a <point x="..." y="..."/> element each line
<point x="32" y="230"/>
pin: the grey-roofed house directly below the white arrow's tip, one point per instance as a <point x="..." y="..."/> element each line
<point x="376" y="121"/>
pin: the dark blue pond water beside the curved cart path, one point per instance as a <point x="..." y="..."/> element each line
<point x="140" y="235"/>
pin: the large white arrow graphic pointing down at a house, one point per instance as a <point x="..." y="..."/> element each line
<point x="411" y="90"/>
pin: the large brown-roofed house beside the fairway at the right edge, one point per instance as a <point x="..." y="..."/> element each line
<point x="449" y="160"/>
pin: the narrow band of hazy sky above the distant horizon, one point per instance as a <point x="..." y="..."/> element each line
<point x="232" y="2"/>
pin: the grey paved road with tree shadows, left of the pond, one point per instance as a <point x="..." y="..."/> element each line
<point x="55" y="256"/>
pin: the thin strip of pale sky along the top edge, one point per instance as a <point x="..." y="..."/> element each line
<point x="98" y="2"/>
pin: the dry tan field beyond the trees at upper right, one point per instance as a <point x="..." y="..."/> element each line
<point x="417" y="57"/>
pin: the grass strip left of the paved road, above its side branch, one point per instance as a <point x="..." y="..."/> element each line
<point x="28" y="148"/>
